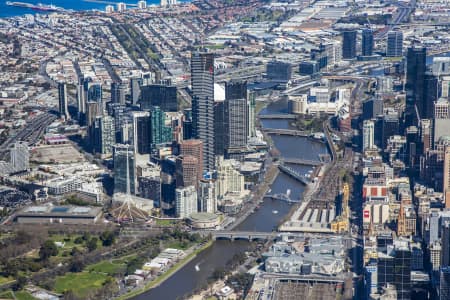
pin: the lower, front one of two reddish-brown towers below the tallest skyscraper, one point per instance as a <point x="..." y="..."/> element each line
<point x="187" y="172"/>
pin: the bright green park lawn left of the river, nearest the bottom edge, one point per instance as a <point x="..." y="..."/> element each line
<point x="80" y="283"/>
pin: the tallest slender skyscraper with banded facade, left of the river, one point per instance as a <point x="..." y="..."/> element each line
<point x="202" y="80"/>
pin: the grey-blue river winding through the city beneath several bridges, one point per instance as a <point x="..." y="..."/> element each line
<point x="266" y="218"/>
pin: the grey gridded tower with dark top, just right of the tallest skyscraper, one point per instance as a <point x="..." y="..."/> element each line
<point x="236" y="115"/>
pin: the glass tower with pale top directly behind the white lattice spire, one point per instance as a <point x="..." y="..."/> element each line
<point x="124" y="157"/>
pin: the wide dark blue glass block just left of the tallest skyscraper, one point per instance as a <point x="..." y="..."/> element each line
<point x="163" y="96"/>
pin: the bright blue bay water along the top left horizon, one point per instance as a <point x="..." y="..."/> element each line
<point x="12" y="11"/>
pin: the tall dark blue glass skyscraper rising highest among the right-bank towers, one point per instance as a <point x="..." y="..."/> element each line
<point x="415" y="82"/>
